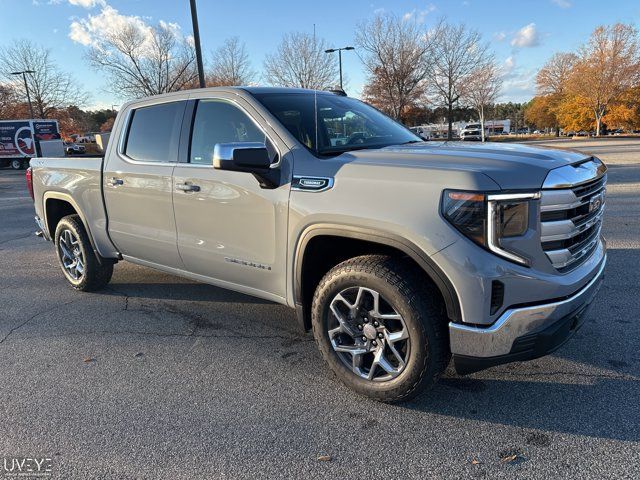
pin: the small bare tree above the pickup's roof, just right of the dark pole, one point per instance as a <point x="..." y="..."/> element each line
<point x="230" y="65"/>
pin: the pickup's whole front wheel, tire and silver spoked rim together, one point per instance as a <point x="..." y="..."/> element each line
<point x="381" y="330"/>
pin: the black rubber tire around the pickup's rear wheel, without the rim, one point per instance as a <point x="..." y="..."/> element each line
<point x="97" y="271"/>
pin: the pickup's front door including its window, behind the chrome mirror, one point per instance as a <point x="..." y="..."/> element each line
<point x="229" y="229"/>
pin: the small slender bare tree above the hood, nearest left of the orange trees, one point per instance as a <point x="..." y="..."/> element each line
<point x="482" y="89"/>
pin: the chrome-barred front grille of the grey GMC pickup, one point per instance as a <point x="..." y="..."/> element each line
<point x="571" y="220"/>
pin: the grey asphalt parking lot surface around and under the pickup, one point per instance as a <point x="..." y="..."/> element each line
<point x="160" y="377"/>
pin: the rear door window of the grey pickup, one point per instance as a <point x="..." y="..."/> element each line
<point x="154" y="132"/>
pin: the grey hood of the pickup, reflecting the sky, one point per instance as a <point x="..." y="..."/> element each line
<point x="510" y="165"/>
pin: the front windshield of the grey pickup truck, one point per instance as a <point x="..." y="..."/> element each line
<point x="341" y="124"/>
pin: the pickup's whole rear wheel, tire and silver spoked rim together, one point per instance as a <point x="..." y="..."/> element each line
<point x="83" y="268"/>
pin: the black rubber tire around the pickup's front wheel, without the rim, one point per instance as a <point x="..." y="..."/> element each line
<point x="404" y="289"/>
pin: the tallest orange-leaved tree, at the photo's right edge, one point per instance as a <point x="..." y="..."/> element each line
<point x="609" y="66"/>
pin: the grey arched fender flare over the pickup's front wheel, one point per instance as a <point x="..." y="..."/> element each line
<point x="442" y="282"/>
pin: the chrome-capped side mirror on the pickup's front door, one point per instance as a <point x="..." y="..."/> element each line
<point x="249" y="157"/>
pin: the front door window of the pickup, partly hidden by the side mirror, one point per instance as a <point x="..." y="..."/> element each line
<point x="217" y="121"/>
